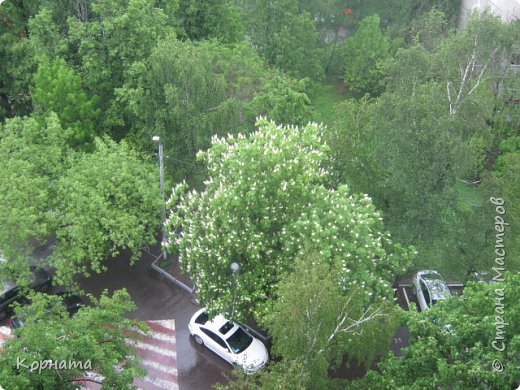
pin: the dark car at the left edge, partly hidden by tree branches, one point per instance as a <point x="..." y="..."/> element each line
<point x="10" y="292"/>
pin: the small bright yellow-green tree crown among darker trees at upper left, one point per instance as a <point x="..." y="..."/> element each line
<point x="58" y="89"/>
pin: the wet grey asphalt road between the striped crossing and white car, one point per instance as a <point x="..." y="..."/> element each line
<point x="158" y="299"/>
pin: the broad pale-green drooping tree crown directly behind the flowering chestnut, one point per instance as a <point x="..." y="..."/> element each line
<point x="191" y="91"/>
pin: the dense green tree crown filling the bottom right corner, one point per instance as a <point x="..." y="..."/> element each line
<point x="454" y="345"/>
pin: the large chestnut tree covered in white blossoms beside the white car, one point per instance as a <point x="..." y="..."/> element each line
<point x="266" y="201"/>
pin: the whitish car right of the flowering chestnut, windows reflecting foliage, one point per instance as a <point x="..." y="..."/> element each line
<point x="430" y="288"/>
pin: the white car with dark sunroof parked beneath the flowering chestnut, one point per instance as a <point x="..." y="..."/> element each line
<point x="229" y="340"/>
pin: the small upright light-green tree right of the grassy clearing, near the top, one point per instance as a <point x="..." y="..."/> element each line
<point x="365" y="55"/>
